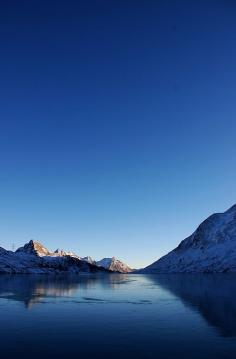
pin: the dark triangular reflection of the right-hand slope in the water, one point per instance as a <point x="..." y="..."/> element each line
<point x="211" y="295"/>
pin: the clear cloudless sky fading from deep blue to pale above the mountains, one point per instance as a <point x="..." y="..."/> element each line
<point x="117" y="123"/>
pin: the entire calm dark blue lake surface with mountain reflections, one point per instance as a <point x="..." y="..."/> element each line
<point x="133" y="316"/>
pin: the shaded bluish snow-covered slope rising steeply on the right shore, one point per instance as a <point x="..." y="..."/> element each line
<point x="211" y="248"/>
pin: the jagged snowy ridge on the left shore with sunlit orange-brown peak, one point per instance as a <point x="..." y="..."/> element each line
<point x="34" y="258"/>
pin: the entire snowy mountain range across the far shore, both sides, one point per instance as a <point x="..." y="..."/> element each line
<point x="210" y="249"/>
